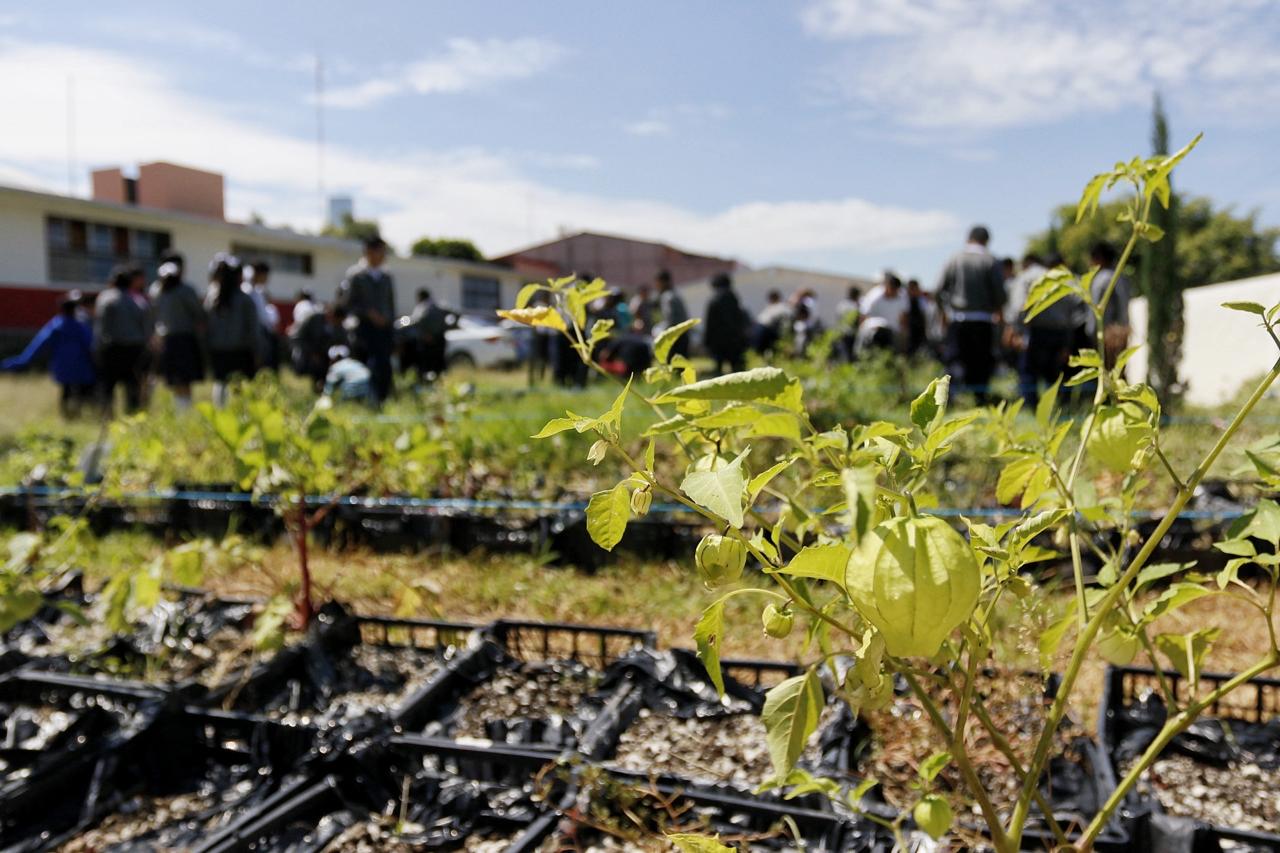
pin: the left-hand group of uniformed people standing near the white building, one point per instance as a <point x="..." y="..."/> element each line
<point x="135" y="334"/>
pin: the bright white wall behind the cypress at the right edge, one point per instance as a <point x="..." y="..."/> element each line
<point x="1222" y="349"/>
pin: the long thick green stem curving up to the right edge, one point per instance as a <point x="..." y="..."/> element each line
<point x="1091" y="630"/>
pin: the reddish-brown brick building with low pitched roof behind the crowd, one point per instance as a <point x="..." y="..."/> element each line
<point x="623" y="262"/>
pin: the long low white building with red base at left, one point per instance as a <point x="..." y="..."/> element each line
<point x="51" y="244"/>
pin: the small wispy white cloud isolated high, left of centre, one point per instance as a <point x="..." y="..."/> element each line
<point x="467" y="65"/>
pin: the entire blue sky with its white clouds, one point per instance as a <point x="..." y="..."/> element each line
<point x="844" y="135"/>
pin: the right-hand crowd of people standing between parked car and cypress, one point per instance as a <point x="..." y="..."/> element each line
<point x="973" y="322"/>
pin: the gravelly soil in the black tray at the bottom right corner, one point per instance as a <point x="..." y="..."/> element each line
<point x="1242" y="796"/>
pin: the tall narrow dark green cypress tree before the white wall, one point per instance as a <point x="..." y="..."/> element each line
<point x="1160" y="281"/>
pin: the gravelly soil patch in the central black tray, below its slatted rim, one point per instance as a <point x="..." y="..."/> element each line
<point x="541" y="694"/>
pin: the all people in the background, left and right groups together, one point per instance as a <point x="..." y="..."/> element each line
<point x="972" y="322"/>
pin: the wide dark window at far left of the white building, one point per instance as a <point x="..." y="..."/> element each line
<point x="88" y="252"/>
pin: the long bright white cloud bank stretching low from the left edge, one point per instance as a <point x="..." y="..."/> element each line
<point x="470" y="193"/>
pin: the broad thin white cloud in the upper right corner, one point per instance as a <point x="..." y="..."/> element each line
<point x="952" y="63"/>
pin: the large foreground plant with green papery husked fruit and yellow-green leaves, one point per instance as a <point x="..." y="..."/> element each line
<point x="840" y="524"/>
